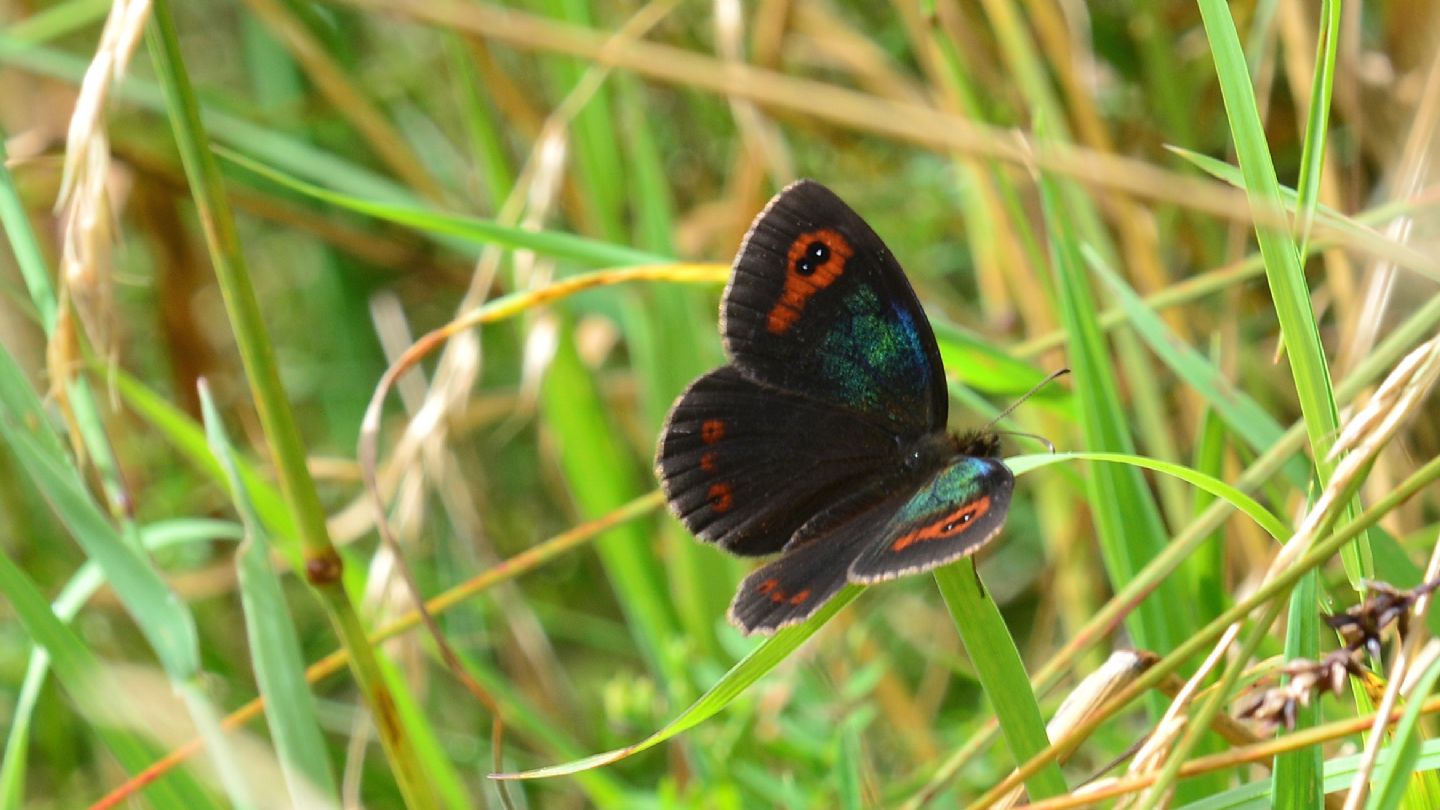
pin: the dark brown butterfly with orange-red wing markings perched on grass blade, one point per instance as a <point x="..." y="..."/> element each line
<point x="824" y="439"/>
